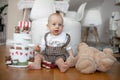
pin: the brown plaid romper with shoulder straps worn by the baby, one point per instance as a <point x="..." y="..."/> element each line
<point x="53" y="53"/>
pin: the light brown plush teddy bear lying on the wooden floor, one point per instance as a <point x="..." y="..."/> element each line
<point x="89" y="59"/>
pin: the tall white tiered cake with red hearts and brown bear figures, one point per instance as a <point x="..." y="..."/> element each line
<point x="21" y="50"/>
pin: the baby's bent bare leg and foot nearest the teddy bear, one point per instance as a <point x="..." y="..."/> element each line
<point x="63" y="66"/>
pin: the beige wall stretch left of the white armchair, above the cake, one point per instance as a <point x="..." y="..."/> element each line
<point x="14" y="15"/>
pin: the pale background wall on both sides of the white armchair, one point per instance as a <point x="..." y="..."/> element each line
<point x="107" y="7"/>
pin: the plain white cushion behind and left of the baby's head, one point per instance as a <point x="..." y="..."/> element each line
<point x="42" y="8"/>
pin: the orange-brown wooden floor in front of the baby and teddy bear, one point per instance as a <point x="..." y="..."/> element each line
<point x="8" y="73"/>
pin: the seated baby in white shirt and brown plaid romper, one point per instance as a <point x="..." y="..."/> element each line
<point x="55" y="45"/>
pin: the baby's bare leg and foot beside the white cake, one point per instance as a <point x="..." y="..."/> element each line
<point x="37" y="62"/>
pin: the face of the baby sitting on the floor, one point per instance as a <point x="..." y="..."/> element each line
<point x="55" y="24"/>
